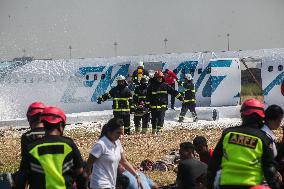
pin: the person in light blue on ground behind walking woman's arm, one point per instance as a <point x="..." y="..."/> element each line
<point x="147" y="183"/>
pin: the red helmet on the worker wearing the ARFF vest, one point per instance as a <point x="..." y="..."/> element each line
<point x="251" y="106"/>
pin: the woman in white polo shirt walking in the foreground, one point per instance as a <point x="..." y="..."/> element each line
<point x="105" y="156"/>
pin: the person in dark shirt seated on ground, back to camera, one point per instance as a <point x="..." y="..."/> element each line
<point x="189" y="168"/>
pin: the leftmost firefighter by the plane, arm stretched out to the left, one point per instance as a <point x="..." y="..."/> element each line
<point x="122" y="102"/>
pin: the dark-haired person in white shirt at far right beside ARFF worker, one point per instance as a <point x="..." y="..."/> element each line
<point x="272" y="121"/>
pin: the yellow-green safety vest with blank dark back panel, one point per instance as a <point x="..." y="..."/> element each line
<point x="51" y="157"/>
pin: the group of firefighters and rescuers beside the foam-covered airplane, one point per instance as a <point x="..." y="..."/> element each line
<point x="150" y="98"/>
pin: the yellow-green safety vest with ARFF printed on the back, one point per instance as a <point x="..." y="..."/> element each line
<point x="241" y="161"/>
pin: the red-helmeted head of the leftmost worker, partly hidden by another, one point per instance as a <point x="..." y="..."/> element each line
<point x="33" y="114"/>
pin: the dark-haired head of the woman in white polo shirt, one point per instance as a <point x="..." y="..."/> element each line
<point x="113" y="129"/>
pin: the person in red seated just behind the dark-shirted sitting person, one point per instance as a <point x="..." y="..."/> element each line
<point x="201" y="147"/>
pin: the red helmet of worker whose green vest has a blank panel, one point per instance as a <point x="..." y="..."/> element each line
<point x="53" y="115"/>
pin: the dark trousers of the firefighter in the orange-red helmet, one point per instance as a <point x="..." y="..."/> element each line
<point x="157" y="119"/>
